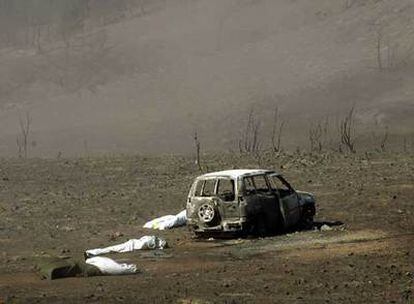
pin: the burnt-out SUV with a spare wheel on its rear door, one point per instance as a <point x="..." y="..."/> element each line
<point x="247" y="202"/>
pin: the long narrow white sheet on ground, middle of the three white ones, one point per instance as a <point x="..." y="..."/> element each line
<point x="146" y="242"/>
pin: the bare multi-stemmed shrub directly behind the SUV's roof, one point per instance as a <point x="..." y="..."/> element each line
<point x="249" y="140"/>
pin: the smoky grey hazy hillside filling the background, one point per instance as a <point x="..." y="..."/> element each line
<point x="141" y="76"/>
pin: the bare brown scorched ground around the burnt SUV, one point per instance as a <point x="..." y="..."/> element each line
<point x="64" y="206"/>
